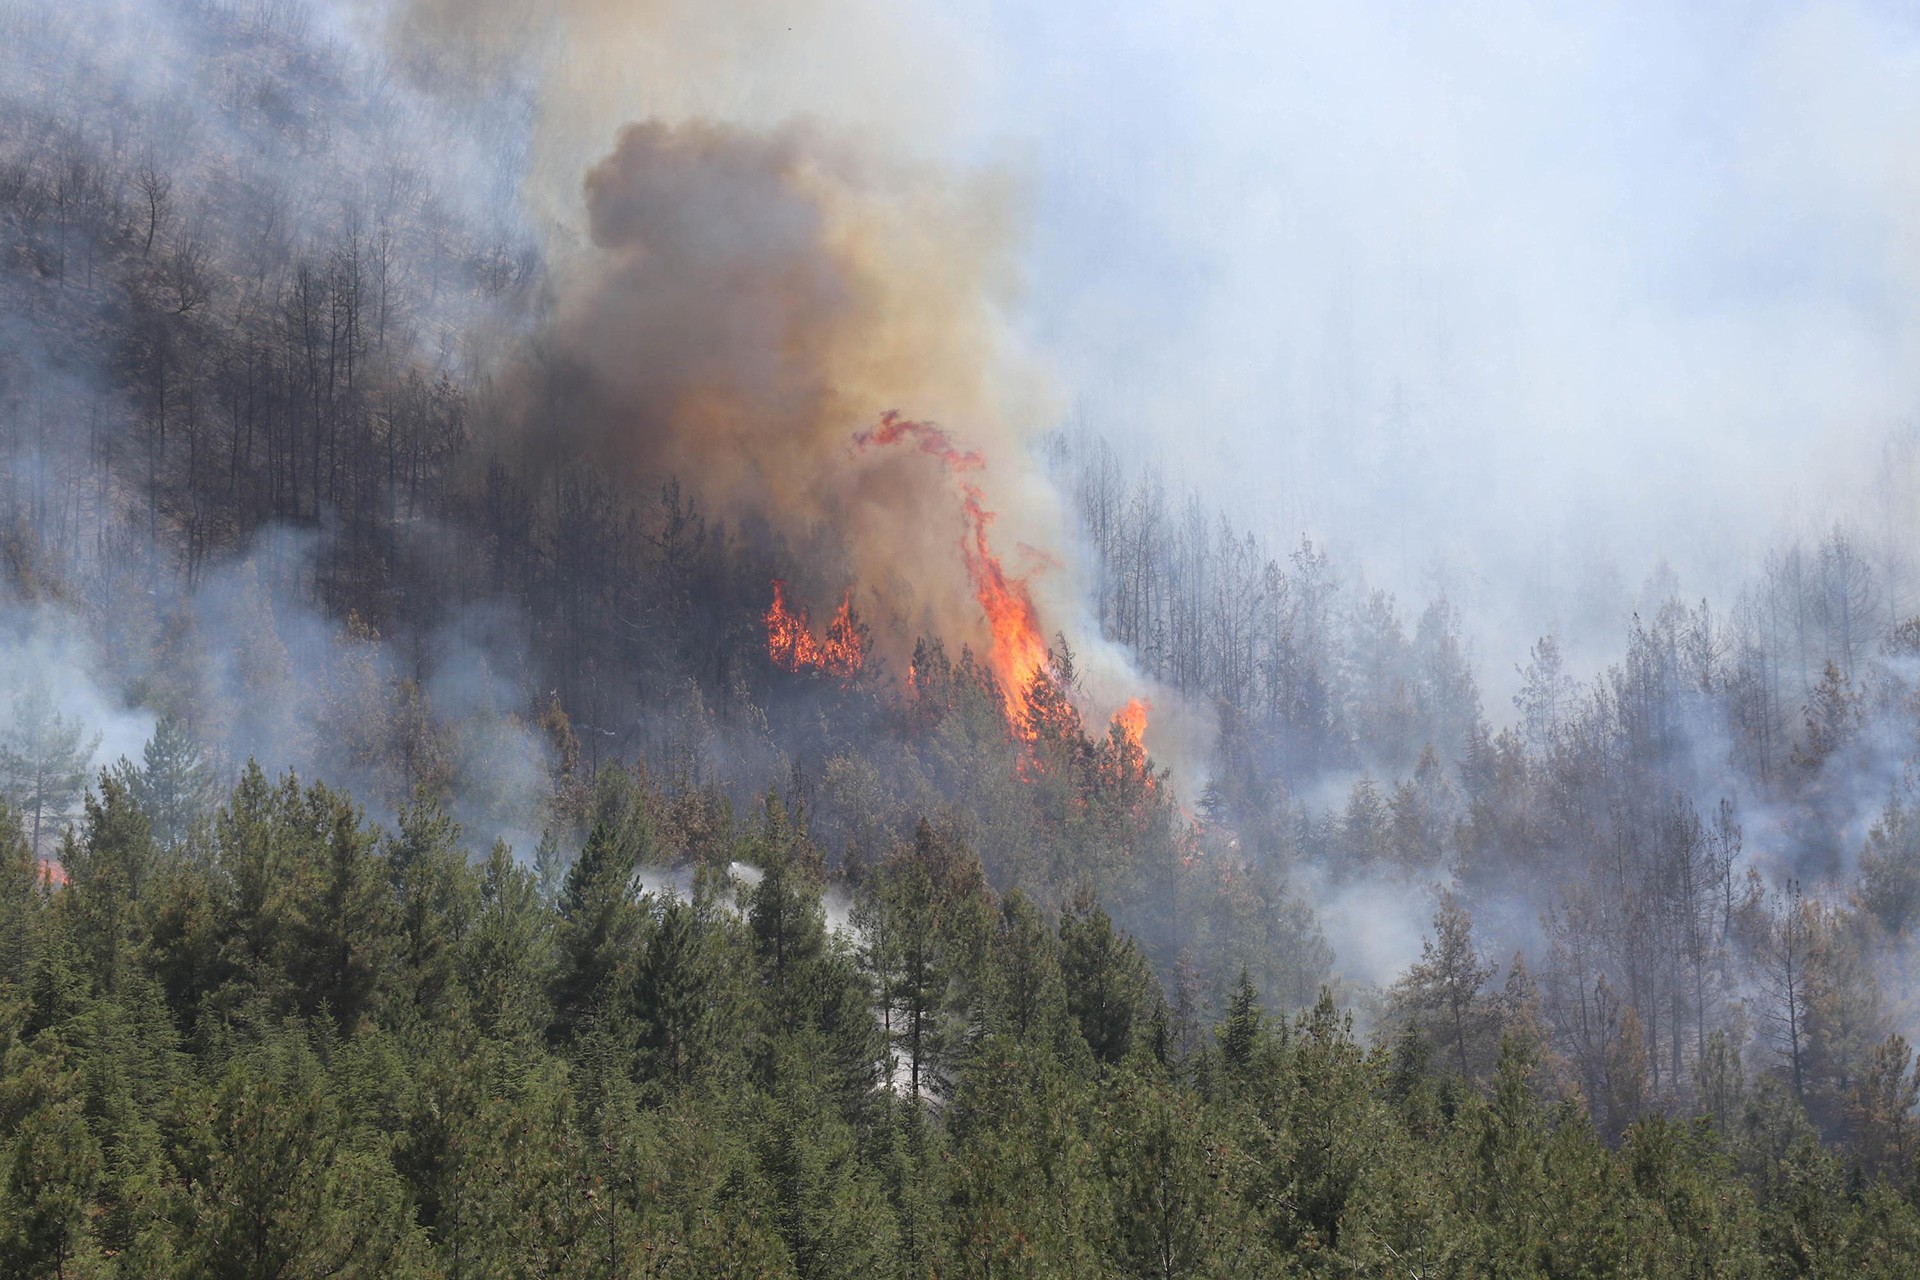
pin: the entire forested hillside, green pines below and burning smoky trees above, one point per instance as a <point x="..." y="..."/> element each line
<point x="437" y="840"/>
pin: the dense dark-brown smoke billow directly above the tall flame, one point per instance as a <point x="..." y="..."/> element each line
<point x="754" y="300"/>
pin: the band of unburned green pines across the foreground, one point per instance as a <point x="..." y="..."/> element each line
<point x="308" y="1047"/>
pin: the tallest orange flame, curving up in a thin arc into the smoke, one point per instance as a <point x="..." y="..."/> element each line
<point x="1019" y="652"/>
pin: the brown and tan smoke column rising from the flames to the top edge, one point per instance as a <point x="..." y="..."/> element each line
<point x="752" y="295"/>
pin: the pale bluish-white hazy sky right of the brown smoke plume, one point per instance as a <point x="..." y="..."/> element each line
<point x="1525" y="287"/>
